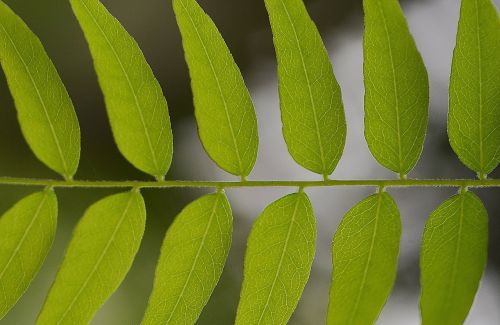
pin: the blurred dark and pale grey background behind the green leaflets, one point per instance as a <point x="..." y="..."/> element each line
<point x="245" y="27"/>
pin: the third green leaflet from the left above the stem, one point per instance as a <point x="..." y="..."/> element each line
<point x="227" y="124"/>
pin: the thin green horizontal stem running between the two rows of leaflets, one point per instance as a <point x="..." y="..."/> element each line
<point x="262" y="183"/>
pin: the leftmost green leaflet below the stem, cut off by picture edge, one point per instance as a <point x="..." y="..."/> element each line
<point x="27" y="231"/>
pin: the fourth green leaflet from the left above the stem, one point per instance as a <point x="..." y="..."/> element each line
<point x="312" y="112"/>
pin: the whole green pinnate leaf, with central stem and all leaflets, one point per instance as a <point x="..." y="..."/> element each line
<point x="281" y="245"/>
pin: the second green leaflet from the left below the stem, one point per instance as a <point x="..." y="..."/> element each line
<point x="99" y="256"/>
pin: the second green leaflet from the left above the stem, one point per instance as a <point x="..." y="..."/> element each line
<point x="136" y="107"/>
